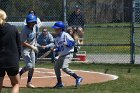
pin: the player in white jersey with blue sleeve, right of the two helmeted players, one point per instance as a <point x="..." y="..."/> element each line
<point x="65" y="47"/>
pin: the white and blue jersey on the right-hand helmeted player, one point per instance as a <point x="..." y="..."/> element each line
<point x="64" y="43"/>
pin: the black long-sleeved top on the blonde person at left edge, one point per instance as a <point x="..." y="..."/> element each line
<point x="9" y="46"/>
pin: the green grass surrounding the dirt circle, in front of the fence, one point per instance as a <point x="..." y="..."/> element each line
<point x="126" y="83"/>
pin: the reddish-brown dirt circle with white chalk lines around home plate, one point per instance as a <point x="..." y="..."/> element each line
<point x="46" y="78"/>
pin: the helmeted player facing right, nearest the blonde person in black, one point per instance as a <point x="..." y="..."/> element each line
<point x="28" y="47"/>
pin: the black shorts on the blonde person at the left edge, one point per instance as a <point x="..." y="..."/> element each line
<point x="12" y="71"/>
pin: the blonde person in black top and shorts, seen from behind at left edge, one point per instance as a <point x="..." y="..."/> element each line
<point x="9" y="52"/>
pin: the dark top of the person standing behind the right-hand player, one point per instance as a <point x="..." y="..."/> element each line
<point x="76" y="20"/>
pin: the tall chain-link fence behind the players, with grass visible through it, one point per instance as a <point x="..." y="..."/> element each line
<point x="108" y="24"/>
